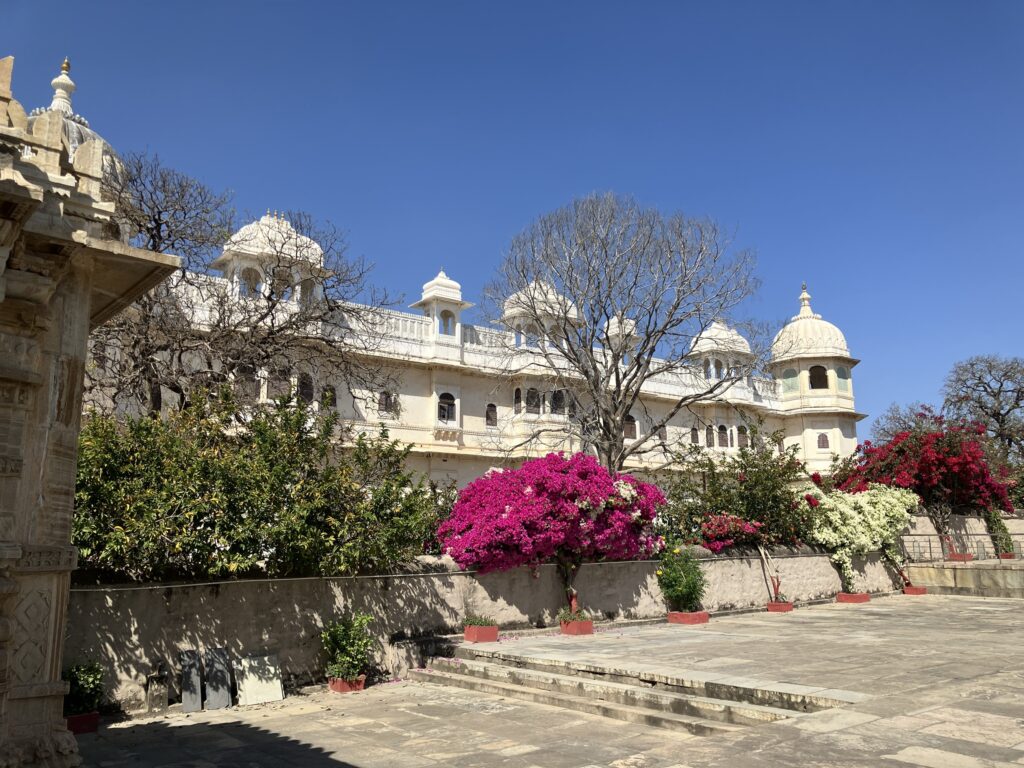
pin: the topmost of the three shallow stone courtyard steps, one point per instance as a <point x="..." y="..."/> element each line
<point x="705" y="685"/>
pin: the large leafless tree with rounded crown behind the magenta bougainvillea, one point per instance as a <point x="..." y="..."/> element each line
<point x="604" y="302"/>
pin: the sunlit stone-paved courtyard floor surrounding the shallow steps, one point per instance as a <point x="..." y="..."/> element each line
<point x="942" y="681"/>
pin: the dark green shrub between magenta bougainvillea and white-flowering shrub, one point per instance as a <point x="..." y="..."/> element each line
<point x="756" y="484"/>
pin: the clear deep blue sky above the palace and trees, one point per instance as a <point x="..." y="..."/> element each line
<point x="875" y="150"/>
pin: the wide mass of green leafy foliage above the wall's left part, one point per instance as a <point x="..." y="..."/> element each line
<point x="210" y="493"/>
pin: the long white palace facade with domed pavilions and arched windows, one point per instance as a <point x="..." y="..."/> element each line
<point x="468" y="398"/>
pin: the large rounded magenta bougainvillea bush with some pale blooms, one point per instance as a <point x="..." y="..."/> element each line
<point x="567" y="509"/>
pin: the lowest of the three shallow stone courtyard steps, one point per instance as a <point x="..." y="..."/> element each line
<point x="638" y="715"/>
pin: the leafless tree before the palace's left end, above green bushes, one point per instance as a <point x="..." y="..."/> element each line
<point x="300" y="320"/>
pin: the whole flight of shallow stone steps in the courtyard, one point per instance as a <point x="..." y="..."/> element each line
<point x="677" y="703"/>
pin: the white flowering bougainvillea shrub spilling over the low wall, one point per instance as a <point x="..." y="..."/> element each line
<point x="849" y="525"/>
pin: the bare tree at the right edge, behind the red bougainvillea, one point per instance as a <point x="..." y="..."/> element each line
<point x="990" y="390"/>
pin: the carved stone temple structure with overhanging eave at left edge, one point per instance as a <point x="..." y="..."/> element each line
<point x="63" y="271"/>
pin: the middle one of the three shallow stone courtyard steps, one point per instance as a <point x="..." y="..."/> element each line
<point x="622" y="694"/>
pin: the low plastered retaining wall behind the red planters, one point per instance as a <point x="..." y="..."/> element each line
<point x="132" y="628"/>
